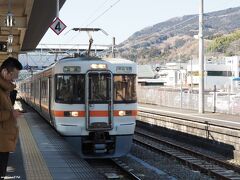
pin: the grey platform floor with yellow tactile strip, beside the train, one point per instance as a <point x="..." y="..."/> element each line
<point x="43" y="154"/>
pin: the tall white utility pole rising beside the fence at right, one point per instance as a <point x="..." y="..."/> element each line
<point x="201" y="61"/>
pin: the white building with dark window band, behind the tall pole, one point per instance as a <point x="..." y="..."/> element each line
<point x="222" y="73"/>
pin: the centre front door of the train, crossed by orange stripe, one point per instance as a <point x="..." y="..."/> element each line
<point x="99" y="100"/>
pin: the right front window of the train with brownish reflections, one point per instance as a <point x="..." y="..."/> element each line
<point x="125" y="88"/>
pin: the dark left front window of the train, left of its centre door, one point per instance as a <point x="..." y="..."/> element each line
<point x="70" y="89"/>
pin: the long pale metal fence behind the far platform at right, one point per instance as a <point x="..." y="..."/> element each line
<point x="223" y="102"/>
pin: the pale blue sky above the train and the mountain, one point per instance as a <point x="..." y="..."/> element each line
<point x="124" y="17"/>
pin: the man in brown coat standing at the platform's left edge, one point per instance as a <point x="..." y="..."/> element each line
<point x="9" y="71"/>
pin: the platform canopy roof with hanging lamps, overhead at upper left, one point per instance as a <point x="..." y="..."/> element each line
<point x="23" y="23"/>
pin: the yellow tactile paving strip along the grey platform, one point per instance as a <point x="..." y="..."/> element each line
<point x="35" y="166"/>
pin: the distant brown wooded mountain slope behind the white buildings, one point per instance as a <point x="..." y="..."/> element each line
<point x="174" y="38"/>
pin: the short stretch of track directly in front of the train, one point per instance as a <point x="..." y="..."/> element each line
<point x="113" y="169"/>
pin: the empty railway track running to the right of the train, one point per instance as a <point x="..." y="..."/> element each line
<point x="195" y="160"/>
